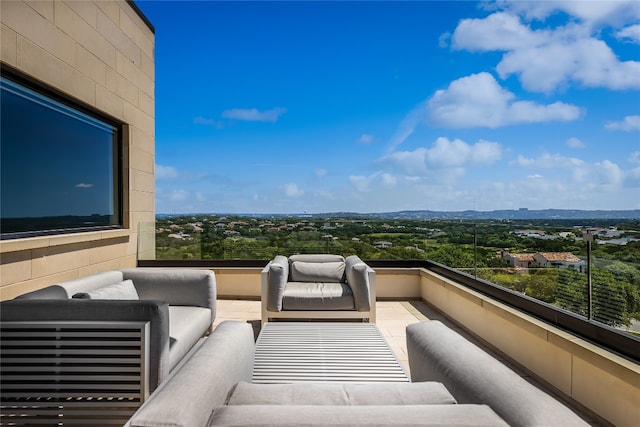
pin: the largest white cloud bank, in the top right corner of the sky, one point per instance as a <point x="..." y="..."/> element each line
<point x="547" y="58"/>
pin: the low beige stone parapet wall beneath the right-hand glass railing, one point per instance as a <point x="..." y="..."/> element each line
<point x="603" y="382"/>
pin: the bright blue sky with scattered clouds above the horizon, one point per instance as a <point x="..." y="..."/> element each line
<point x="292" y="107"/>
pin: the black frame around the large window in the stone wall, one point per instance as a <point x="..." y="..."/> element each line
<point x="118" y="164"/>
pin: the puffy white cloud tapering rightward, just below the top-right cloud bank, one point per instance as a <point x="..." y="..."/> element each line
<point x="479" y="101"/>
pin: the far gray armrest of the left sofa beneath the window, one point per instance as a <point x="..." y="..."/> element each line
<point x="175" y="286"/>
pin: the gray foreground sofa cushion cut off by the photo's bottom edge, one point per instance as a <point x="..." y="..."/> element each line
<point x="365" y="416"/>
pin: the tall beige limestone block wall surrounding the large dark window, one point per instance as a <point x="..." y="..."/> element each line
<point x="101" y="54"/>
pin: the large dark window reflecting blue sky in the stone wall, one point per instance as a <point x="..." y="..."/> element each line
<point x="60" y="166"/>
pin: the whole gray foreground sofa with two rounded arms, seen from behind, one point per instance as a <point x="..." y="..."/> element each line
<point x="213" y="388"/>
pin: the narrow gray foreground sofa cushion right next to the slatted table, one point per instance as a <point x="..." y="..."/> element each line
<point x="341" y="394"/>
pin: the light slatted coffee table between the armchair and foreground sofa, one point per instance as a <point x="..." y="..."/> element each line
<point x="288" y="352"/>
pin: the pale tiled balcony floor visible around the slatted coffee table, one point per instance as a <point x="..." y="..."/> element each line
<point x="392" y="318"/>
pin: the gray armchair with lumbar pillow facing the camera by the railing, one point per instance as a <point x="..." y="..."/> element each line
<point x="318" y="283"/>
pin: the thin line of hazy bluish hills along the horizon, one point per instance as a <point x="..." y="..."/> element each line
<point x="507" y="214"/>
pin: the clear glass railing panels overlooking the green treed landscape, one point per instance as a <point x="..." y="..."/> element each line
<point x="546" y="260"/>
